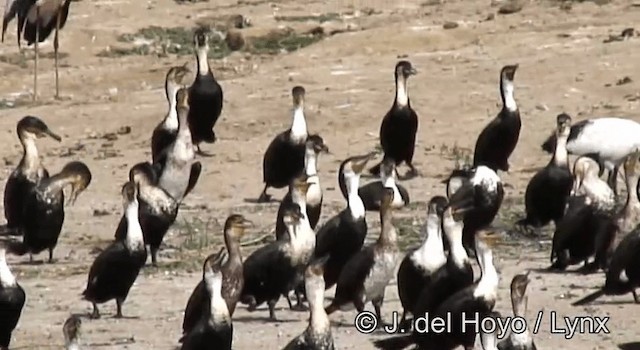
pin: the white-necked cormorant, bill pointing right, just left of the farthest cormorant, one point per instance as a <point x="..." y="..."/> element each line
<point x="165" y="133"/>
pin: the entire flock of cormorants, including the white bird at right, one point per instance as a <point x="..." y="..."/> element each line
<point x="306" y="258"/>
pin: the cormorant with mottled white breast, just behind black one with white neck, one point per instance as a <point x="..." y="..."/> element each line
<point x="158" y="210"/>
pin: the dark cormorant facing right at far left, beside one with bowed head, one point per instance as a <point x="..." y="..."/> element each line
<point x="28" y="173"/>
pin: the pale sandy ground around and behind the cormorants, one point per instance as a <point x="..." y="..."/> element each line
<point x="564" y="67"/>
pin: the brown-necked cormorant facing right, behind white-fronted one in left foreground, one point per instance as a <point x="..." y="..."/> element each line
<point x="232" y="276"/>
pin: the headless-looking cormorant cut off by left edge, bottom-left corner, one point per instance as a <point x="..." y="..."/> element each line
<point x="12" y="299"/>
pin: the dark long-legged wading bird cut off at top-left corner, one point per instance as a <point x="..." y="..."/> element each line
<point x="36" y="20"/>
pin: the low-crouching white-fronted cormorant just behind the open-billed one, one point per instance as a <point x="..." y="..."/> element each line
<point x="371" y="193"/>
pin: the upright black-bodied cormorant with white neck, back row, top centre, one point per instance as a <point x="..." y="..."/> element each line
<point x="284" y="158"/>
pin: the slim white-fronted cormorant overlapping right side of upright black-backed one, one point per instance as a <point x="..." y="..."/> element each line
<point x="314" y="146"/>
